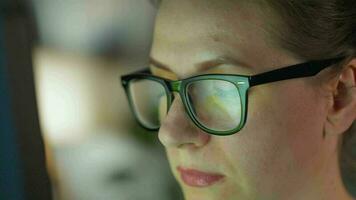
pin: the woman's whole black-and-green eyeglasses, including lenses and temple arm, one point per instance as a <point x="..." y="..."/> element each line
<point x="216" y="103"/>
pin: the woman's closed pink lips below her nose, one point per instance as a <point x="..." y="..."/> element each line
<point x="196" y="178"/>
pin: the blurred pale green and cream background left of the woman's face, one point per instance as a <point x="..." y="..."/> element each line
<point x="94" y="149"/>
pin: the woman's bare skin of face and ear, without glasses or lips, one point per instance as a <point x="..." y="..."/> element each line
<point x="282" y="152"/>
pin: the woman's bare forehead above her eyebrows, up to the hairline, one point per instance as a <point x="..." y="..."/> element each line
<point x="193" y="31"/>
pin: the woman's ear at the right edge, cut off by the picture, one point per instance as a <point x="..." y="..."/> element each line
<point x="342" y="111"/>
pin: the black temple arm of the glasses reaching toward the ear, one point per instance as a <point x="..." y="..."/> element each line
<point x="295" y="71"/>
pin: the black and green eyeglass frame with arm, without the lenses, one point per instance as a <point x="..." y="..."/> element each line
<point x="242" y="83"/>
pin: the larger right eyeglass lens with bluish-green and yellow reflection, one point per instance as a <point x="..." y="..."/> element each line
<point x="216" y="104"/>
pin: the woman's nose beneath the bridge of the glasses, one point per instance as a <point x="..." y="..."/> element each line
<point x="177" y="130"/>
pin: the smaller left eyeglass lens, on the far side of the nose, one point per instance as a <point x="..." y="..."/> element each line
<point x="149" y="101"/>
